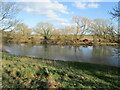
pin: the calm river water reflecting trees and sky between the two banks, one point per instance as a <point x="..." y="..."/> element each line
<point x="108" y="55"/>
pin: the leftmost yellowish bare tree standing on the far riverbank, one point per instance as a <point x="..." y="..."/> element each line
<point x="20" y="32"/>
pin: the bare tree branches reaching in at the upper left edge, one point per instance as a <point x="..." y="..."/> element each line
<point x="8" y="10"/>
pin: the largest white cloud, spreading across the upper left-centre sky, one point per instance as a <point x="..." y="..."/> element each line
<point x="51" y="10"/>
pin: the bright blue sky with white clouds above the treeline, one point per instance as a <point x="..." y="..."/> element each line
<point x="61" y="13"/>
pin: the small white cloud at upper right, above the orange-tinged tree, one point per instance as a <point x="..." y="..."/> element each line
<point x="83" y="5"/>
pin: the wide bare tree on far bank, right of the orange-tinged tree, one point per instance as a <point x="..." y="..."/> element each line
<point x="102" y="28"/>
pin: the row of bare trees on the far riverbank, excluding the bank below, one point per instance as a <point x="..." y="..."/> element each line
<point x="99" y="28"/>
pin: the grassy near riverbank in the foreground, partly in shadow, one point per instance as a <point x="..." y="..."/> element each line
<point x="28" y="72"/>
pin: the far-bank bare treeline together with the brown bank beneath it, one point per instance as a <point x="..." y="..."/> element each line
<point x="100" y="30"/>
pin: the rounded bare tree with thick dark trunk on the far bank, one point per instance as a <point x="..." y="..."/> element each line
<point x="45" y="29"/>
